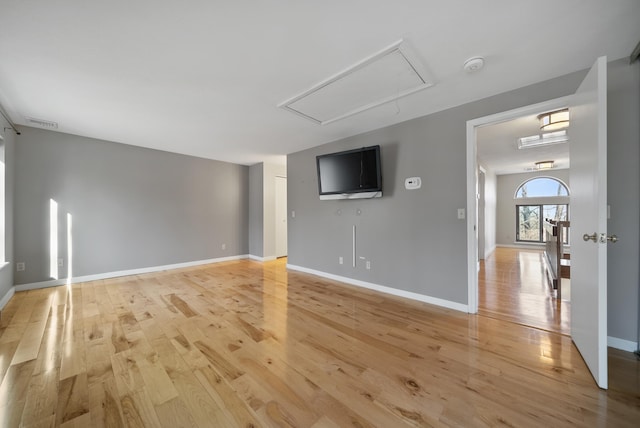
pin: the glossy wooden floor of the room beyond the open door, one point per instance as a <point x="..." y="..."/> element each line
<point x="512" y="286"/>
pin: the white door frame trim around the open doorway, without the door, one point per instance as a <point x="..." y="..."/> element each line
<point x="472" y="183"/>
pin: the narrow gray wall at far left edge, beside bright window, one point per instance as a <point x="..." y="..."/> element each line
<point x="6" y="273"/>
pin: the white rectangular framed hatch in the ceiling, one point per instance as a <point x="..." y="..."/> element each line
<point x="386" y="76"/>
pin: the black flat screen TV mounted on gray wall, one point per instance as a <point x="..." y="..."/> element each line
<point x="352" y="174"/>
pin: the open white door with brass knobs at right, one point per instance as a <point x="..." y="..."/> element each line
<point x="588" y="181"/>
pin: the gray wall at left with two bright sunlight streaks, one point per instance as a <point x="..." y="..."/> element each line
<point x="132" y="207"/>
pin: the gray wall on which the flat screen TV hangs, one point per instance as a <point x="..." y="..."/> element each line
<point x="412" y="238"/>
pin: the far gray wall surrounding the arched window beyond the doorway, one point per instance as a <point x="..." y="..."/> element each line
<point x="506" y="211"/>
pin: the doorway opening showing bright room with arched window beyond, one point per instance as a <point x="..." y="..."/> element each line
<point x="514" y="201"/>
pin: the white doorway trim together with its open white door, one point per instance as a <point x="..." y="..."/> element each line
<point x="588" y="107"/>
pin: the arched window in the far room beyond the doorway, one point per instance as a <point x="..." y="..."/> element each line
<point x="530" y="217"/>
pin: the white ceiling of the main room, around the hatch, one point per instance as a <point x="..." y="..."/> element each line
<point x="205" y="77"/>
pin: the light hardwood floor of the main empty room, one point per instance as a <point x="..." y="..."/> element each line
<point x="248" y="344"/>
